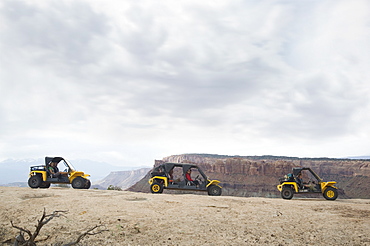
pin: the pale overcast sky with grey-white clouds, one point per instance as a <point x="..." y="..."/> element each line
<point x="128" y="82"/>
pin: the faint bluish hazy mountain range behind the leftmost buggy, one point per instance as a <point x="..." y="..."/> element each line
<point x="17" y="170"/>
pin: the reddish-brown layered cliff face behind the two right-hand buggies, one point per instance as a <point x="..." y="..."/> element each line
<point x="259" y="175"/>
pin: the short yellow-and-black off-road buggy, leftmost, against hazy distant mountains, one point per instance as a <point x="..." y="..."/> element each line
<point x="40" y="176"/>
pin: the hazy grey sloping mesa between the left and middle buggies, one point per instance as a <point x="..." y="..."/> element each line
<point x="122" y="179"/>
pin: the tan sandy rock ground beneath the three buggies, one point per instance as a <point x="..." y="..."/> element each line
<point x="178" y="219"/>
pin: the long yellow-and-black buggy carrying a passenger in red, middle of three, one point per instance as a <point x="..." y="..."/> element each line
<point x="173" y="176"/>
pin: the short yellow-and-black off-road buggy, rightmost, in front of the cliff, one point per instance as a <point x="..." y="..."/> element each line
<point x="291" y="184"/>
